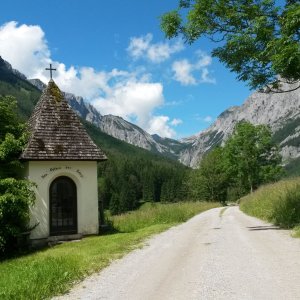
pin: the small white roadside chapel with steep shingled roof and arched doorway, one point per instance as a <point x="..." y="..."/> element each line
<point x="62" y="160"/>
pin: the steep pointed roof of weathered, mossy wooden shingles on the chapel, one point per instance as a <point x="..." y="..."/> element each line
<point x="56" y="132"/>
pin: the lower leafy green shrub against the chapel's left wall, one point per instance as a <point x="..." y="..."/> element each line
<point x="15" y="198"/>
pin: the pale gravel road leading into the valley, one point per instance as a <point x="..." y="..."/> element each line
<point x="232" y="256"/>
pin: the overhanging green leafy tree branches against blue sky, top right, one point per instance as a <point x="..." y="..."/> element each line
<point x="258" y="39"/>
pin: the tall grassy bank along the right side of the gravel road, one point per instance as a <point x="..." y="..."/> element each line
<point x="278" y="203"/>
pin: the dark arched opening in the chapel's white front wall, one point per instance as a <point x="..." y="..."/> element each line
<point x="63" y="206"/>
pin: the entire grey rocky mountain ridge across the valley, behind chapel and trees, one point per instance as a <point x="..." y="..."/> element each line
<point x="280" y="111"/>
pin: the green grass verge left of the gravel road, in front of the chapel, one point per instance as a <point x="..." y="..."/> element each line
<point x="53" y="271"/>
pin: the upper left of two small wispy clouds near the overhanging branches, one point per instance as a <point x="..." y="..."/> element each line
<point x="142" y="47"/>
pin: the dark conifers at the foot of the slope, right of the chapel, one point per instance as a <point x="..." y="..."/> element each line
<point x="126" y="181"/>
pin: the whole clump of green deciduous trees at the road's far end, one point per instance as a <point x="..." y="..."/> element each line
<point x="248" y="159"/>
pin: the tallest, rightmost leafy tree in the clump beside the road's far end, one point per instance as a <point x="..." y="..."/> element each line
<point x="251" y="158"/>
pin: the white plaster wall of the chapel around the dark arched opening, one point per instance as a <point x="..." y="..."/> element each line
<point x="84" y="174"/>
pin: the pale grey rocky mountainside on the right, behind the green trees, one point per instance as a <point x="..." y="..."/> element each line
<point x="280" y="111"/>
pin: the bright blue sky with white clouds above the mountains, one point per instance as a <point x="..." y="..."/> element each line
<point x="114" y="54"/>
